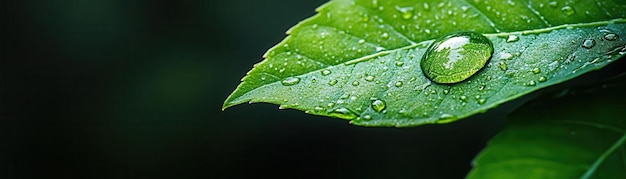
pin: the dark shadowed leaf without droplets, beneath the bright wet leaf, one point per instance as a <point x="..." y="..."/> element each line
<point x="581" y="136"/>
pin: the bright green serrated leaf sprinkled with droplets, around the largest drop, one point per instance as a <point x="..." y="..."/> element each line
<point x="354" y="53"/>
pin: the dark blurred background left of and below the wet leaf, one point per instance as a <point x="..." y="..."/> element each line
<point x="134" y="89"/>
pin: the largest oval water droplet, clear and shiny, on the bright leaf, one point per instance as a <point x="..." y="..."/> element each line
<point x="456" y="57"/>
